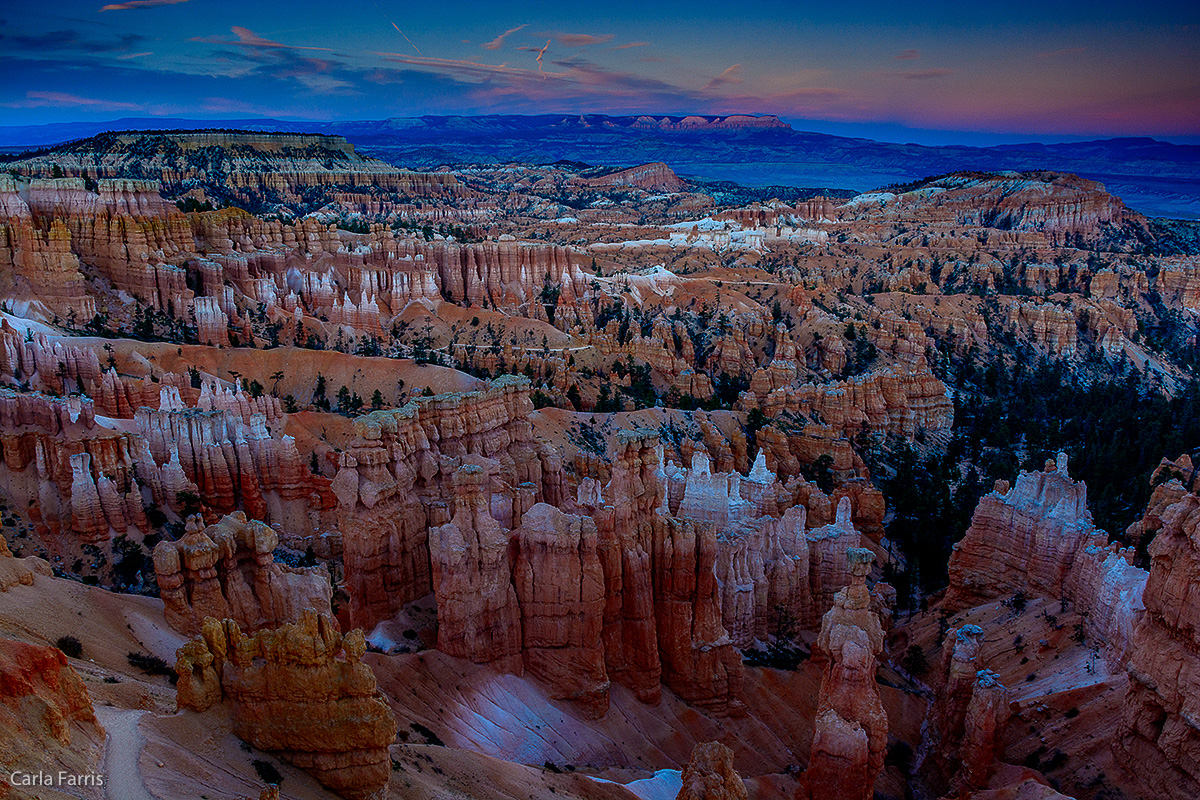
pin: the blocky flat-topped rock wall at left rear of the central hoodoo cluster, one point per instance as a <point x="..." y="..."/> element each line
<point x="395" y="483"/>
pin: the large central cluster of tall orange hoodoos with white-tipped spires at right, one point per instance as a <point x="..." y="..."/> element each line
<point x="652" y="579"/>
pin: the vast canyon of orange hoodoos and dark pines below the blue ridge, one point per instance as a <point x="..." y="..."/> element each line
<point x="517" y="482"/>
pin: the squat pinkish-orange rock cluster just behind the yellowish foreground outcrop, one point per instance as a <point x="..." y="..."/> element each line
<point x="229" y="572"/>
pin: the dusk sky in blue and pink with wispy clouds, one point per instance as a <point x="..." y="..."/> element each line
<point x="935" y="73"/>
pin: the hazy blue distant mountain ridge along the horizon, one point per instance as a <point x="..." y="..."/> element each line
<point x="1157" y="178"/>
